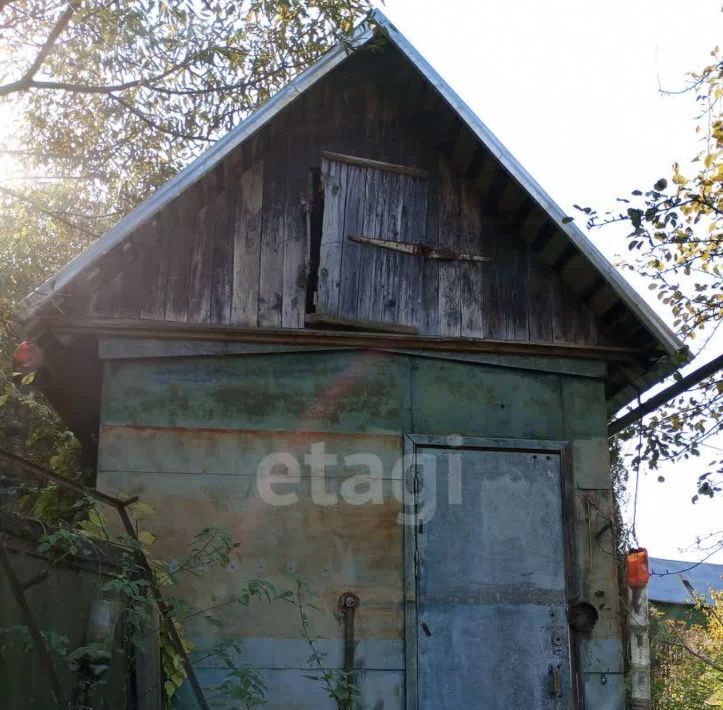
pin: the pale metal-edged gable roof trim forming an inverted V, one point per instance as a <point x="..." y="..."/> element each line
<point x="661" y="338"/>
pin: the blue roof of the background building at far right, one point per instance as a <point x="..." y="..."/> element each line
<point x="668" y="580"/>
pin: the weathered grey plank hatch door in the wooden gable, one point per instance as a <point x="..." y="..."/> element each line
<point x="379" y="201"/>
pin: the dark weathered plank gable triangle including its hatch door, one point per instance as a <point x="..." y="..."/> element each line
<point x="255" y="243"/>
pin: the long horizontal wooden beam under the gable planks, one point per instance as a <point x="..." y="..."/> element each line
<point x="186" y="331"/>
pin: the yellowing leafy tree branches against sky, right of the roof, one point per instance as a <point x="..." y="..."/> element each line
<point x="676" y="241"/>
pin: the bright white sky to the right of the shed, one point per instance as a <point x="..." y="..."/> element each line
<point x="573" y="90"/>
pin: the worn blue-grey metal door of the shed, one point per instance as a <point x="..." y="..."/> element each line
<point x="490" y="564"/>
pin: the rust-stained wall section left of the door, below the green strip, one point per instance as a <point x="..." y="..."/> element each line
<point x="339" y="532"/>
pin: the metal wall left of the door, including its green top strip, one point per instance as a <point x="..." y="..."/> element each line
<point x="187" y="436"/>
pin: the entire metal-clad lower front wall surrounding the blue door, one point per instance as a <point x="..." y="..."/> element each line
<point x="187" y="434"/>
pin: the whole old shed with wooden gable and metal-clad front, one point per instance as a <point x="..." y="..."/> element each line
<point x="357" y="334"/>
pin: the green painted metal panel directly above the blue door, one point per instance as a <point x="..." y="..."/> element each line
<point x="457" y="398"/>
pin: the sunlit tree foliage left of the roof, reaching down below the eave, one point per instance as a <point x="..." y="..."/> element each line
<point x="108" y="99"/>
